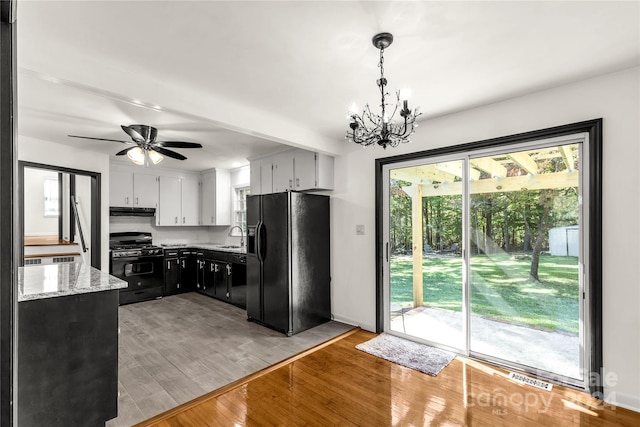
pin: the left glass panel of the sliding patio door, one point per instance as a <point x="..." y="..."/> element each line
<point x="425" y="249"/>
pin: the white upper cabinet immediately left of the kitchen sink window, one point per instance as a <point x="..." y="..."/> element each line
<point x="216" y="197"/>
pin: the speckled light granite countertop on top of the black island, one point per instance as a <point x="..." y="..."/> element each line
<point x="57" y="280"/>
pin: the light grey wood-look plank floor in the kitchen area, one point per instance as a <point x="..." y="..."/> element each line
<point x="180" y="347"/>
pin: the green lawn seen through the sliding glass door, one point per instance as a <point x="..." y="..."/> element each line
<point x="499" y="288"/>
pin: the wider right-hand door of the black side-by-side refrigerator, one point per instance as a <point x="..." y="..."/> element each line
<point x="275" y="250"/>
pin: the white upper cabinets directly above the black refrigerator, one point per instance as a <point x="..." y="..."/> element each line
<point x="296" y="169"/>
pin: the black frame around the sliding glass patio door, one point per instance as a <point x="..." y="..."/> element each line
<point x="591" y="271"/>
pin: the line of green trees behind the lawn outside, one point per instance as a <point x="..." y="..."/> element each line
<point x="504" y="221"/>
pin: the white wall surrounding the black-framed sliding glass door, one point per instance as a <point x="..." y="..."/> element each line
<point x="615" y="98"/>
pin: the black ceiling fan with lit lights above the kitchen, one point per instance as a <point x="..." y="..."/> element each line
<point x="146" y="146"/>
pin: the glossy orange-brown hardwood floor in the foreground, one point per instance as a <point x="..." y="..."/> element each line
<point x="339" y="385"/>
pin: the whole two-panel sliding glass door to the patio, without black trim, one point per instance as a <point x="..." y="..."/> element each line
<point x="485" y="255"/>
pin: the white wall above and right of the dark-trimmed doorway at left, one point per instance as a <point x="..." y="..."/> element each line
<point x="50" y="153"/>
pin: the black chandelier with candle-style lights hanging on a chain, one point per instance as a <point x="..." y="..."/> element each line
<point x="369" y="128"/>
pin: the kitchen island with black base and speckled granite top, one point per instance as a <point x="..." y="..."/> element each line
<point x="67" y="345"/>
